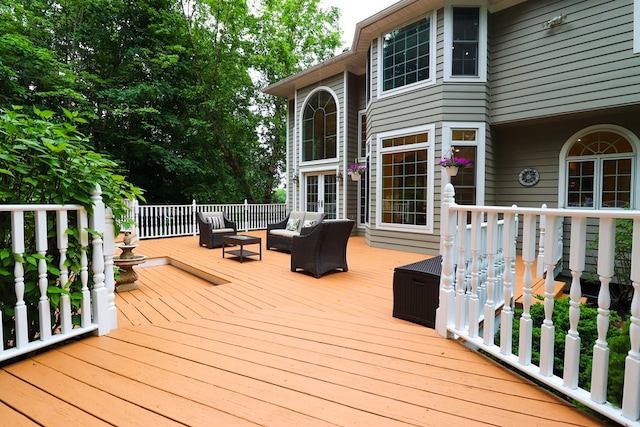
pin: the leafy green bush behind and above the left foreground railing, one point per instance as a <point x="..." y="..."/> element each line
<point x="45" y="160"/>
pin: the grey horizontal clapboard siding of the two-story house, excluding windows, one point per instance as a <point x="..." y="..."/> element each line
<point x="542" y="86"/>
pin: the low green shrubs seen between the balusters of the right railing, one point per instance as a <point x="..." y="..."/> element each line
<point x="617" y="338"/>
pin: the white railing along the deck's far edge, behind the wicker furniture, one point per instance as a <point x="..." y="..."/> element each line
<point x="154" y="221"/>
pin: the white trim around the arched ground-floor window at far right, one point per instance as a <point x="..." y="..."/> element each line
<point x="563" y="177"/>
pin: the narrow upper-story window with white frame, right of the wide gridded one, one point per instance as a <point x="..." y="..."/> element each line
<point x="465" y="50"/>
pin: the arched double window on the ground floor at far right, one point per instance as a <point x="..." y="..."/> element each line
<point x="600" y="170"/>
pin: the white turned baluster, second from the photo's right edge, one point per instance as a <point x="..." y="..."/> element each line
<point x="606" y="243"/>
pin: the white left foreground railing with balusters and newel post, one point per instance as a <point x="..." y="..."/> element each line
<point x="96" y="311"/>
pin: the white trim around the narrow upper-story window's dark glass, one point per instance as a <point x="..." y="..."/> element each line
<point x="482" y="42"/>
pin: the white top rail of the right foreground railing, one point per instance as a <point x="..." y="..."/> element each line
<point x="587" y="213"/>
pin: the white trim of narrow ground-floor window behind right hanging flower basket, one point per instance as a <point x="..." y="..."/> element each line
<point x="479" y="143"/>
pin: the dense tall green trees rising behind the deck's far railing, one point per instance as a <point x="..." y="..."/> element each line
<point x="171" y="89"/>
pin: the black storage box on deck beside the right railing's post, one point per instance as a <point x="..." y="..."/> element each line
<point x="416" y="291"/>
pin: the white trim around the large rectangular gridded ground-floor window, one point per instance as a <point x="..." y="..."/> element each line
<point x="430" y="129"/>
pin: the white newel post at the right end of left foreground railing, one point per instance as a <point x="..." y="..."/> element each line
<point x="99" y="292"/>
